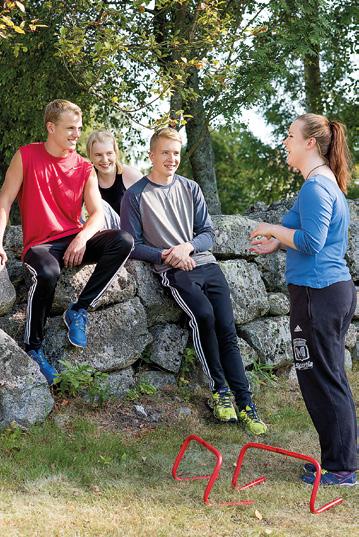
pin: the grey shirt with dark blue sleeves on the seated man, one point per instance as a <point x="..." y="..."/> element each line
<point x="162" y="216"/>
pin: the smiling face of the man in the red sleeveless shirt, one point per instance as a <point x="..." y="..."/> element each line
<point x="64" y="134"/>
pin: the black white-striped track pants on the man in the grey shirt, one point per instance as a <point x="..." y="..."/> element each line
<point x="204" y="296"/>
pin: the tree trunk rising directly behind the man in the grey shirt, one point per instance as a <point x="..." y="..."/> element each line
<point x="200" y="149"/>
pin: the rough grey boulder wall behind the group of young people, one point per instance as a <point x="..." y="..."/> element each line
<point x="138" y="331"/>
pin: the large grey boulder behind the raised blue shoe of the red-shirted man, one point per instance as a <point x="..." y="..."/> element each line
<point x="117" y="336"/>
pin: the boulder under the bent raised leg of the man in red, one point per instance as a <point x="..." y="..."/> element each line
<point x="72" y="281"/>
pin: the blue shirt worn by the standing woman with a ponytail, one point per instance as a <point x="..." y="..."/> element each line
<point x="320" y="216"/>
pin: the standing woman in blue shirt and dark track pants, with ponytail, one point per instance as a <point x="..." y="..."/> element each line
<point x="322" y="294"/>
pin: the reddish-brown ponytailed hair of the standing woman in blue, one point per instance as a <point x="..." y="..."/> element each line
<point x="332" y="145"/>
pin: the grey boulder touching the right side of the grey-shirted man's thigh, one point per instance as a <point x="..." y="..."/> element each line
<point x="249" y="297"/>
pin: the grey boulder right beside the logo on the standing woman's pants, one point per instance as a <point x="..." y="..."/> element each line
<point x="270" y="337"/>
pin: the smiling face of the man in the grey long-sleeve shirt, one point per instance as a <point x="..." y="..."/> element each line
<point x="165" y="157"/>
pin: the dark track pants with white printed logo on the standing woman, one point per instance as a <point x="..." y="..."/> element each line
<point x="319" y="320"/>
